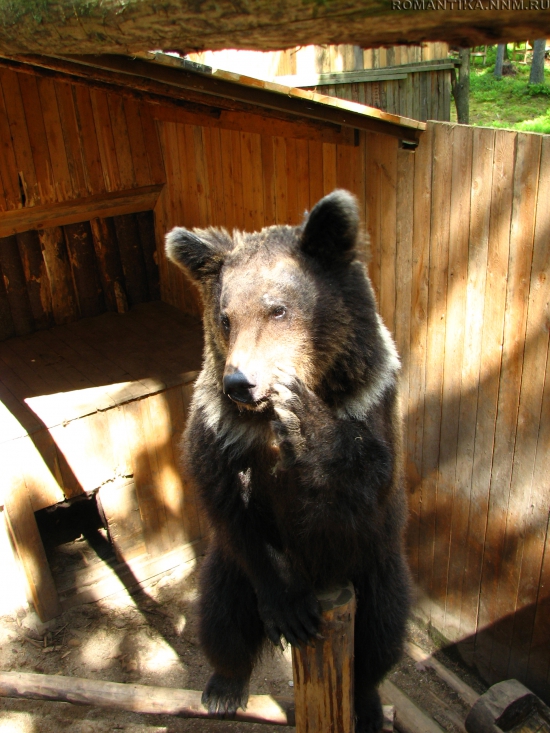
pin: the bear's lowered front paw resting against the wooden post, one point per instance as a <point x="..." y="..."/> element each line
<point x="295" y="616"/>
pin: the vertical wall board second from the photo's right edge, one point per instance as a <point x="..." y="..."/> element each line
<point x="506" y="445"/>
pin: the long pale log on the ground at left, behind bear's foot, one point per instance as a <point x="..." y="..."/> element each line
<point x="138" y="698"/>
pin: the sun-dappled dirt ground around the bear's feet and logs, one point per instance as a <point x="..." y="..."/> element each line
<point x="150" y="638"/>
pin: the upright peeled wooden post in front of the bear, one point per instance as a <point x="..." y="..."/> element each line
<point x="323" y="673"/>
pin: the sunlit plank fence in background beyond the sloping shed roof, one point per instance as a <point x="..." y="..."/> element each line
<point x="413" y="81"/>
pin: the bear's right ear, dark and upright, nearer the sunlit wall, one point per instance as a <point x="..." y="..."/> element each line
<point x="331" y="229"/>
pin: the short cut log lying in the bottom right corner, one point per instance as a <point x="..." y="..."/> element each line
<point x="508" y="705"/>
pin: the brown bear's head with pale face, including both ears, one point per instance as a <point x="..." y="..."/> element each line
<point x="291" y="299"/>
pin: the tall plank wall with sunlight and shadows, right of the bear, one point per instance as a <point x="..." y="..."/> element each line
<point x="460" y="233"/>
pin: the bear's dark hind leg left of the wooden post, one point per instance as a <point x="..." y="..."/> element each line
<point x="230" y="631"/>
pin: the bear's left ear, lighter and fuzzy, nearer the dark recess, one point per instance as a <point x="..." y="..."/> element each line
<point x="200" y="252"/>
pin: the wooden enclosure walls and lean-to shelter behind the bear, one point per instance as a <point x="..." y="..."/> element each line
<point x="459" y="234"/>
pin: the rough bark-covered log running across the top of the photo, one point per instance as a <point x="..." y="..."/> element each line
<point x="127" y="26"/>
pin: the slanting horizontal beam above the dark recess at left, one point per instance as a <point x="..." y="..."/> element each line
<point x="103" y="205"/>
